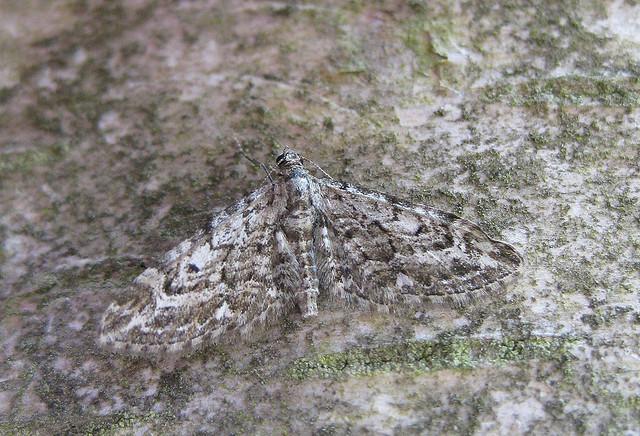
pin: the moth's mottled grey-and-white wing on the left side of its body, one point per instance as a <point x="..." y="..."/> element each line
<point x="218" y="282"/>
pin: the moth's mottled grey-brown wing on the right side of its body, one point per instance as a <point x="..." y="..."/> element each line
<point x="388" y="253"/>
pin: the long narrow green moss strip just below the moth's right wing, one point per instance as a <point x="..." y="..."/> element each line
<point x="456" y="353"/>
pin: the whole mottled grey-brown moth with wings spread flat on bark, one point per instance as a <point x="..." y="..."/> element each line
<point x="299" y="243"/>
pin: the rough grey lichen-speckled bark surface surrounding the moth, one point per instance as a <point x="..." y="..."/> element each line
<point x="116" y="126"/>
